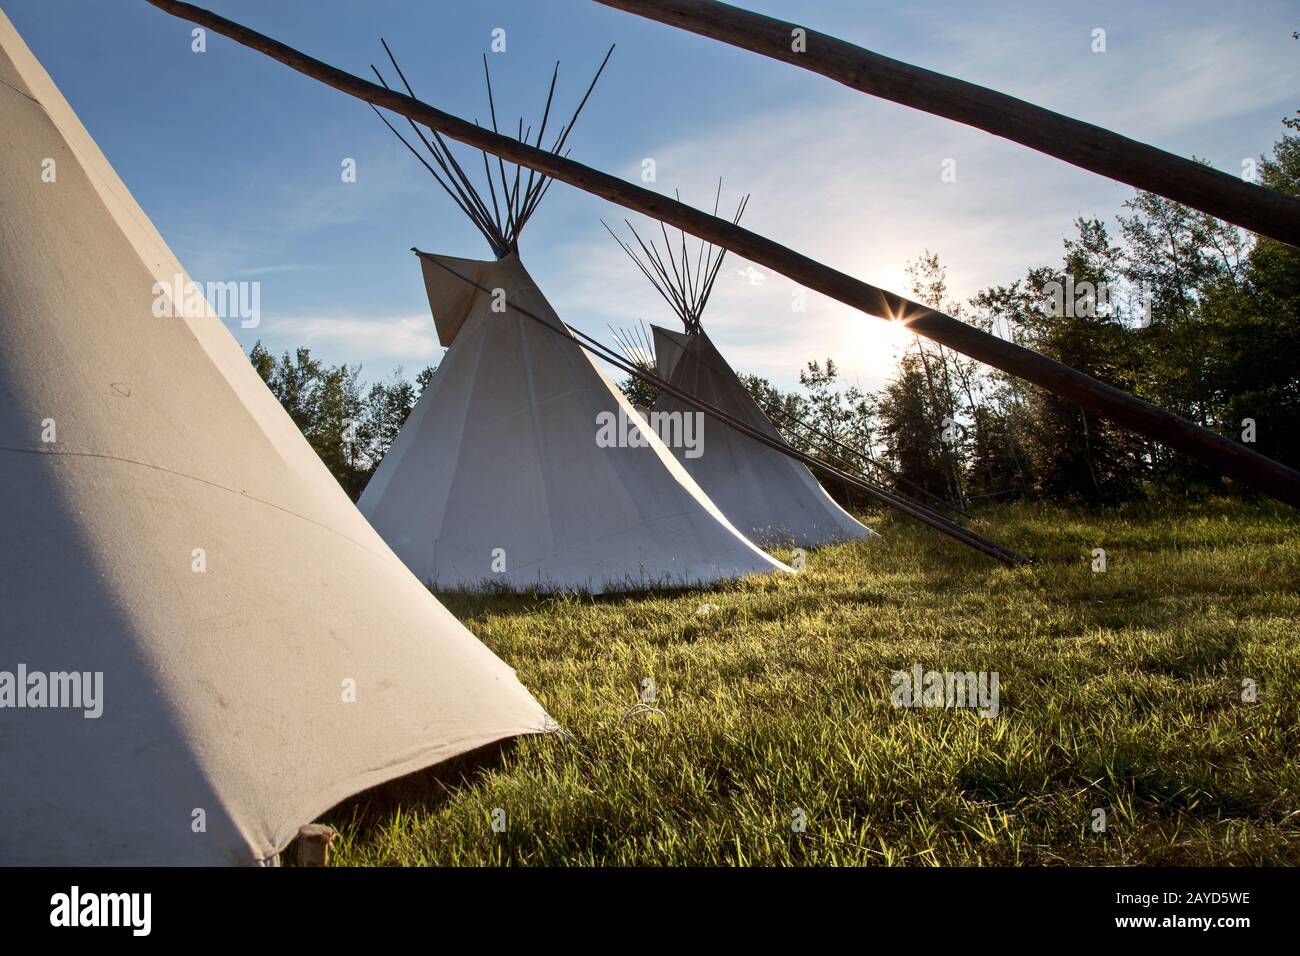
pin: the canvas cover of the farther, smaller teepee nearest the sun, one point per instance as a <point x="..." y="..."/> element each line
<point x="768" y="496"/>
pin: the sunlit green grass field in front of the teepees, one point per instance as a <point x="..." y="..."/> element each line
<point x="1120" y="691"/>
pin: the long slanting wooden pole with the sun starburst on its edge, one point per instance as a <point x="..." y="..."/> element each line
<point x="1214" y="451"/>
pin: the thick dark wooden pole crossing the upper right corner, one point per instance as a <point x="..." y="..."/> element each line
<point x="1098" y="150"/>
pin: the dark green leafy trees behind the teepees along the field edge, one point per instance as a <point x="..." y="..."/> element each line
<point x="1178" y="308"/>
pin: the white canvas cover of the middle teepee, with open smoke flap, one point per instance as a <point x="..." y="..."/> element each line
<point x="499" y="478"/>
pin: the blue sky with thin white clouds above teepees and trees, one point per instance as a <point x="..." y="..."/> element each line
<point x="237" y="159"/>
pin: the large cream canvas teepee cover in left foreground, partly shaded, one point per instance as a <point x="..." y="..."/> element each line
<point x="226" y="719"/>
